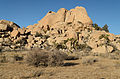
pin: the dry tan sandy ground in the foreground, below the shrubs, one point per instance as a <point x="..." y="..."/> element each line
<point x="104" y="68"/>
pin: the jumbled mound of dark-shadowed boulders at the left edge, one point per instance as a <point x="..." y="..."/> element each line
<point x="10" y="35"/>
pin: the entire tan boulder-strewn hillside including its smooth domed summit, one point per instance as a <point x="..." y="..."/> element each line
<point x="68" y="30"/>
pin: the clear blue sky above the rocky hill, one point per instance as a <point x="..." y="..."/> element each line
<point x="28" y="12"/>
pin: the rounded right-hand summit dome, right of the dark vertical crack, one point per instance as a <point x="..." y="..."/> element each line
<point x="78" y="14"/>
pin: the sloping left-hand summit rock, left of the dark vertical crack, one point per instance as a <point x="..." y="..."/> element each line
<point x="51" y="18"/>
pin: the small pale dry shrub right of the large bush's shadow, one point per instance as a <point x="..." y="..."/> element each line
<point x="89" y="60"/>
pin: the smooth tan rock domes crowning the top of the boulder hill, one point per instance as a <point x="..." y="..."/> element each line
<point x="78" y="14"/>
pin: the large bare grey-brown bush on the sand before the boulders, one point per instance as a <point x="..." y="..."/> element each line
<point x="38" y="57"/>
